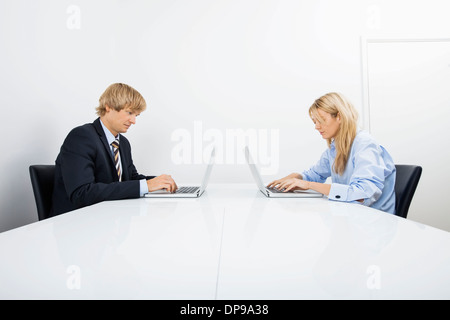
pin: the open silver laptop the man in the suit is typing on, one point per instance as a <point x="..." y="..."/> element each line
<point x="187" y="191"/>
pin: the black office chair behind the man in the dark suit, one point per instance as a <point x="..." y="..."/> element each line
<point x="42" y="180"/>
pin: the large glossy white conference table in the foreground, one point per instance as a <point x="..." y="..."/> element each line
<point x="231" y="244"/>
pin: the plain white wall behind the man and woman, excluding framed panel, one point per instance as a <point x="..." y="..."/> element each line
<point x="208" y="66"/>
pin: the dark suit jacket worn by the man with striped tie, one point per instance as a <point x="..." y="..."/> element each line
<point x="85" y="172"/>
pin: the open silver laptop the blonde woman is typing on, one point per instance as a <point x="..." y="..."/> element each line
<point x="272" y="192"/>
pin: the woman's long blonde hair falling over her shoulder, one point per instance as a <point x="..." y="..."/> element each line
<point x="337" y="105"/>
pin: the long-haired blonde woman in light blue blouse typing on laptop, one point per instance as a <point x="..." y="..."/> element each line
<point x="361" y="170"/>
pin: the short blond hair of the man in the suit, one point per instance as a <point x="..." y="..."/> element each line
<point x="121" y="96"/>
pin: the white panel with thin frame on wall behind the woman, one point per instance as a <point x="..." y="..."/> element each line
<point x="408" y="111"/>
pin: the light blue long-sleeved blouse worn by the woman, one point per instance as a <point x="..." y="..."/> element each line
<point x="369" y="174"/>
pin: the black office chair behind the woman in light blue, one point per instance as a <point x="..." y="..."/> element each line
<point x="406" y="182"/>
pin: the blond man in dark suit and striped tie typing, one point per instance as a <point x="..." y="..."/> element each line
<point x="95" y="163"/>
